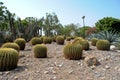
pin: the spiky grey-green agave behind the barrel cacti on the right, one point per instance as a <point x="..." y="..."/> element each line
<point x="111" y="36"/>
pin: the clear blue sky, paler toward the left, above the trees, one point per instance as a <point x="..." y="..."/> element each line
<point x="68" y="11"/>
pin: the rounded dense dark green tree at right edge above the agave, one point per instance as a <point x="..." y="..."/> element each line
<point x="108" y="23"/>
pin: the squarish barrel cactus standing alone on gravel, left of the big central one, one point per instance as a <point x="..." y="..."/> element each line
<point x="40" y="51"/>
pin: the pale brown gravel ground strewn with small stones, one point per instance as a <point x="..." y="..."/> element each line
<point x="56" y="67"/>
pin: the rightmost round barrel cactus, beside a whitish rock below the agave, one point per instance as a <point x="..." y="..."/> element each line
<point x="103" y="45"/>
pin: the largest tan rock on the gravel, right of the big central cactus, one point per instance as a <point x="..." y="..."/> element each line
<point x="91" y="60"/>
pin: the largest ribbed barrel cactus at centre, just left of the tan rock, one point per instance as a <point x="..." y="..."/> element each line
<point x="73" y="51"/>
